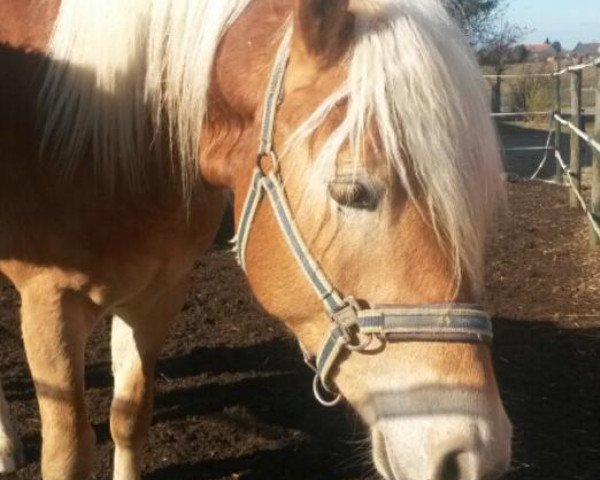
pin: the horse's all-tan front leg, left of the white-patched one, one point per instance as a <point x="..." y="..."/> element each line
<point x="56" y="323"/>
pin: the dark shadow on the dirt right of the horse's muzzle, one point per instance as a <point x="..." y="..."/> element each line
<point x="550" y="383"/>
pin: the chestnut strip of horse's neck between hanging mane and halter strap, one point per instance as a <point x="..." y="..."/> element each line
<point x="241" y="70"/>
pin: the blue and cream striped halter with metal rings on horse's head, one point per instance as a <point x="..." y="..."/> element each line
<point x="352" y="327"/>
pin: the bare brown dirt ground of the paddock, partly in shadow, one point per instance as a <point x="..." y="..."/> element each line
<point x="234" y="399"/>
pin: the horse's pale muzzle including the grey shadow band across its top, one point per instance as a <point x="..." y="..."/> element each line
<point x="439" y="434"/>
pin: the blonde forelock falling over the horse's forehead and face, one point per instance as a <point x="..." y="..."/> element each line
<point x="413" y="76"/>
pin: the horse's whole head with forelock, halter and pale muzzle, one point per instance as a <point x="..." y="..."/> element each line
<point x="389" y="164"/>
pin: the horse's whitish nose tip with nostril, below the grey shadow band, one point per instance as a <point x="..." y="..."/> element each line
<point x="442" y="447"/>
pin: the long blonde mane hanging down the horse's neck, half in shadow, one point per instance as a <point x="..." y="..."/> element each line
<point x="121" y="71"/>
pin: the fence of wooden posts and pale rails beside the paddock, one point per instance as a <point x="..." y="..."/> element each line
<point x="578" y="137"/>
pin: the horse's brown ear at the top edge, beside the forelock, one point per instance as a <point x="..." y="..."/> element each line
<point x="325" y="27"/>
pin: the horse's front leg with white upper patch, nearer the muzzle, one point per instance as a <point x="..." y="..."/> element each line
<point x="138" y="333"/>
